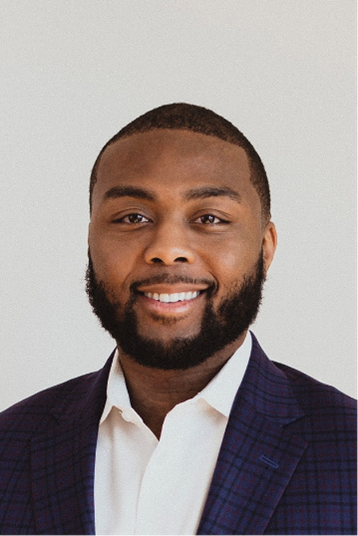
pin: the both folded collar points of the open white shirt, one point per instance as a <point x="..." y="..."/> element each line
<point x="219" y="393"/>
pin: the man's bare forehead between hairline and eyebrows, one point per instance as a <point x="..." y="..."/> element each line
<point x="172" y="160"/>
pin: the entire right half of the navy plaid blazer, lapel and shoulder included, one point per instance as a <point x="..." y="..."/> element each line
<point x="288" y="461"/>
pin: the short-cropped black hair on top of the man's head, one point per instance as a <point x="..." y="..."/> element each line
<point x="182" y="116"/>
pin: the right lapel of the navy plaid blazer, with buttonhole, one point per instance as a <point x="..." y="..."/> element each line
<point x="258" y="455"/>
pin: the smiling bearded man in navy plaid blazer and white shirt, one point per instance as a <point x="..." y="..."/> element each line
<point x="189" y="428"/>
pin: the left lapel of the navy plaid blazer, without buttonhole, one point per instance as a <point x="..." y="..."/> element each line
<point x="63" y="460"/>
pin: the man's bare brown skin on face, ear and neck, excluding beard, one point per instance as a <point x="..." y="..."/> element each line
<point x="193" y="212"/>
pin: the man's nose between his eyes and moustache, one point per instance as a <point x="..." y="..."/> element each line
<point x="169" y="245"/>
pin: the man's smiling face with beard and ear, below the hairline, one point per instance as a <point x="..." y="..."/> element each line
<point x="178" y="249"/>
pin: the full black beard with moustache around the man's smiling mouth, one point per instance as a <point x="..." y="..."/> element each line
<point x="237" y="310"/>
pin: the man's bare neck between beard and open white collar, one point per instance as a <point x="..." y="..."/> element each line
<point x="154" y="392"/>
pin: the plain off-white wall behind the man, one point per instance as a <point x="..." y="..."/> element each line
<point x="74" y="72"/>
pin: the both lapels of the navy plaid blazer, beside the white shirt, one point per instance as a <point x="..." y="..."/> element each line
<point x="256" y="460"/>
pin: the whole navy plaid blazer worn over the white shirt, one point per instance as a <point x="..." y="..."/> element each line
<point x="287" y="464"/>
